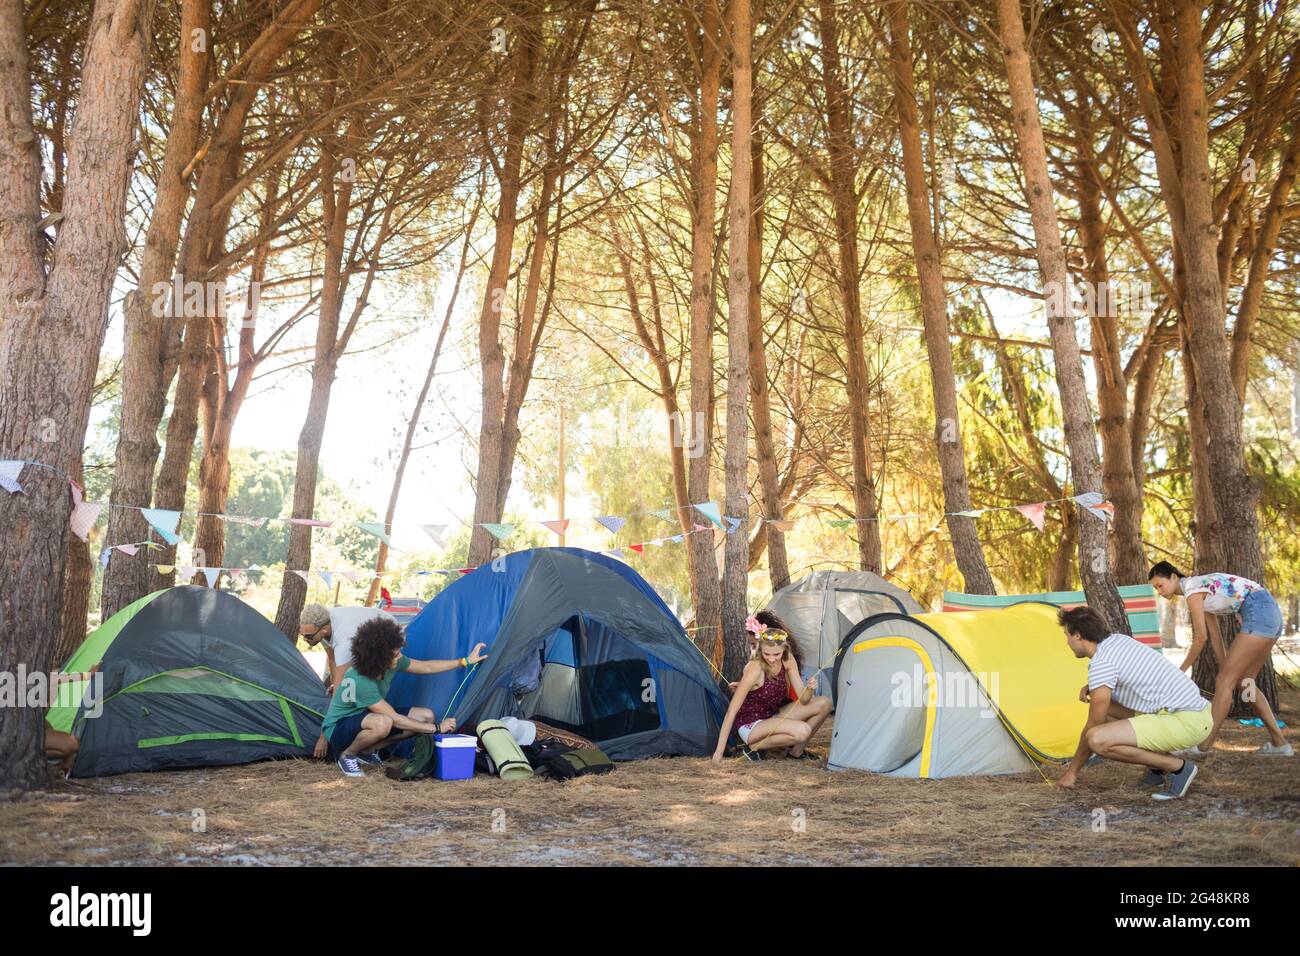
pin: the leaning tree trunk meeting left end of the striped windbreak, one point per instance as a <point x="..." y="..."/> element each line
<point x="934" y="310"/>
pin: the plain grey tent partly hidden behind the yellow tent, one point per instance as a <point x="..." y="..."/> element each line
<point x="824" y="607"/>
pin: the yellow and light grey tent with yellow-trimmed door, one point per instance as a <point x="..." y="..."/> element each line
<point x="960" y="694"/>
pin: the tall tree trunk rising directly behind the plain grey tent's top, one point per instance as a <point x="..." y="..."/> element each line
<point x="844" y="197"/>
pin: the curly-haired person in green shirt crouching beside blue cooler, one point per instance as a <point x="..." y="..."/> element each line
<point x="361" y="723"/>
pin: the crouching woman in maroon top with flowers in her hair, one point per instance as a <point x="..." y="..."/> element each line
<point x="761" y="711"/>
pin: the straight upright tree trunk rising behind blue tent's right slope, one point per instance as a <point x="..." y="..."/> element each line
<point x="696" y="432"/>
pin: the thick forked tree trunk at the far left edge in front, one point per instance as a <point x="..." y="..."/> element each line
<point x="53" y="325"/>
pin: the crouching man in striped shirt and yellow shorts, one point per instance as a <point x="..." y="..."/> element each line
<point x="1141" y="707"/>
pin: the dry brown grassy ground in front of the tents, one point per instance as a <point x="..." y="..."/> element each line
<point x="1243" y="811"/>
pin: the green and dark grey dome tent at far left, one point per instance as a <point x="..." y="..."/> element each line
<point x="192" y="677"/>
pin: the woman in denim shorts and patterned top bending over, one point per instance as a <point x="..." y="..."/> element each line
<point x="1260" y="621"/>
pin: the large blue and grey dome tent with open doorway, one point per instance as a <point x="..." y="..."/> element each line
<point x="575" y="639"/>
